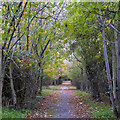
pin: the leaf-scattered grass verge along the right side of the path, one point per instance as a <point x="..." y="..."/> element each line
<point x="97" y="109"/>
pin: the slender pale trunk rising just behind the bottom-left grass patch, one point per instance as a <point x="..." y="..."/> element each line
<point x="12" y="85"/>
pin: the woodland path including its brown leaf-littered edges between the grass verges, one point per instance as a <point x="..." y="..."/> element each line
<point x="62" y="103"/>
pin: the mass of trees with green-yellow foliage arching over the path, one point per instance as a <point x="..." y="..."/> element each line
<point x="42" y="40"/>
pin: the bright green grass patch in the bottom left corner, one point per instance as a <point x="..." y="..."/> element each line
<point x="12" y="113"/>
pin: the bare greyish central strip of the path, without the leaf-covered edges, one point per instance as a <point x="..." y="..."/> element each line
<point x="63" y="108"/>
